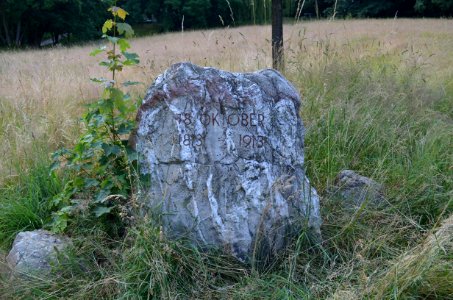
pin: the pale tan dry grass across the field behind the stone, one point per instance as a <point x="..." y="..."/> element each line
<point x="41" y="91"/>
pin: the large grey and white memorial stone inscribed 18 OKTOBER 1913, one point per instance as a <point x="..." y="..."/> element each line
<point x="224" y="153"/>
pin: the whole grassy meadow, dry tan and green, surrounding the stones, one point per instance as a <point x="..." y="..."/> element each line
<point x="377" y="98"/>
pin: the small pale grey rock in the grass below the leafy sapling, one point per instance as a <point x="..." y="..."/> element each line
<point x="34" y="251"/>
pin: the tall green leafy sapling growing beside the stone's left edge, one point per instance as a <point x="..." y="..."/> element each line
<point x="100" y="162"/>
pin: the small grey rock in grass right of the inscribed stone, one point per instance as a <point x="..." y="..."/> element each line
<point x="355" y="189"/>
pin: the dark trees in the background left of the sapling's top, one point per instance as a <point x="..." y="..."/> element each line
<point x="28" y="22"/>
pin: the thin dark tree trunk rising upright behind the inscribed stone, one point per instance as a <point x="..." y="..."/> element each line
<point x="277" y="35"/>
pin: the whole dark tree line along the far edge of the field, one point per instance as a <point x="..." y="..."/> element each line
<point x="29" y="22"/>
